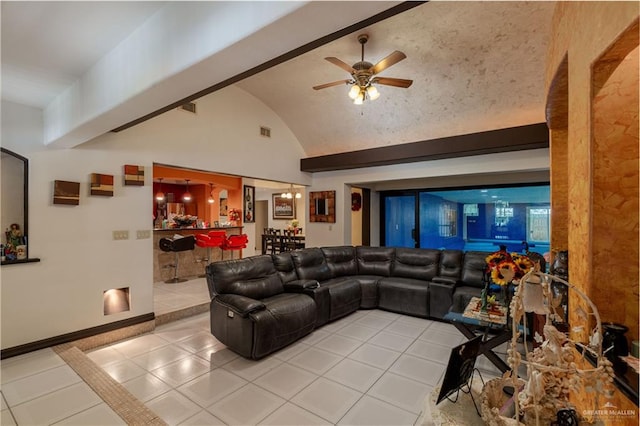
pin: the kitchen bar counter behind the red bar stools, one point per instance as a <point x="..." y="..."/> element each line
<point x="191" y="263"/>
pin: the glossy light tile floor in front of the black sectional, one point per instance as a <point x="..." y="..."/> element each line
<point x="371" y="367"/>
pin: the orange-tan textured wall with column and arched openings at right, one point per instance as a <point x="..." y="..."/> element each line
<point x="594" y="159"/>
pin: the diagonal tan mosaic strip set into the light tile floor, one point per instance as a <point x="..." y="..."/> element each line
<point x="125" y="405"/>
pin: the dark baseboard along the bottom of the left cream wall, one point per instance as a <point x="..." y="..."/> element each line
<point x="75" y="335"/>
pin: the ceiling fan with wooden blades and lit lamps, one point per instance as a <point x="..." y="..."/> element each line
<point x="363" y="75"/>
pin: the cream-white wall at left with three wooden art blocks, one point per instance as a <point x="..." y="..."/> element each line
<point x="79" y="258"/>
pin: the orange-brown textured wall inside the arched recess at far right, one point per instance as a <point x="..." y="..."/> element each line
<point x="614" y="212"/>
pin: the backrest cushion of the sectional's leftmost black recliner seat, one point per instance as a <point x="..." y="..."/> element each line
<point x="253" y="277"/>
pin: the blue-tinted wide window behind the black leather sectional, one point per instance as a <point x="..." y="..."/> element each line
<point x="472" y="219"/>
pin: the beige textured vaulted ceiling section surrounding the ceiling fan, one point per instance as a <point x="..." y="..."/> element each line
<point x="476" y="66"/>
